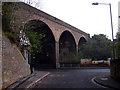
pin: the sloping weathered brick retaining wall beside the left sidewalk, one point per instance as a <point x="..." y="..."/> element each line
<point x="14" y="65"/>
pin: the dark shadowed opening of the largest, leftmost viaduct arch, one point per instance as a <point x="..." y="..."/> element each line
<point x="46" y="58"/>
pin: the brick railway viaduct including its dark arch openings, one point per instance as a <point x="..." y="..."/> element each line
<point x="62" y="38"/>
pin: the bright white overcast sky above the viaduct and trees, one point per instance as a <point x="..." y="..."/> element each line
<point x="92" y="19"/>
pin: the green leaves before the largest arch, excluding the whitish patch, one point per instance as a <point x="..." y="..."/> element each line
<point x="34" y="38"/>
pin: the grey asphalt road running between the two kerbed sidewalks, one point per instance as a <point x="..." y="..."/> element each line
<point x="72" y="78"/>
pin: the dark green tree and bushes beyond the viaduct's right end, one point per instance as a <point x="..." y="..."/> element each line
<point x="98" y="47"/>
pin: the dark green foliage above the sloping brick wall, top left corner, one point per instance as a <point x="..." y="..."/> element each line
<point x="8" y="17"/>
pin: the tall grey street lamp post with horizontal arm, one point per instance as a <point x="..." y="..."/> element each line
<point x="111" y="29"/>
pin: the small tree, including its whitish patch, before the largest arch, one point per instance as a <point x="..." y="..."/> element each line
<point x="31" y="39"/>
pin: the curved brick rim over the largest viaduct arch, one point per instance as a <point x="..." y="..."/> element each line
<point x="35" y="17"/>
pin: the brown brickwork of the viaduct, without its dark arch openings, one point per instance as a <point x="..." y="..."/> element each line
<point x="26" y="13"/>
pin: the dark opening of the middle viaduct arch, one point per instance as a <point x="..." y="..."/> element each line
<point x="67" y="45"/>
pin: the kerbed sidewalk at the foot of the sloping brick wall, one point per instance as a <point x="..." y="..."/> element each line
<point x="30" y="81"/>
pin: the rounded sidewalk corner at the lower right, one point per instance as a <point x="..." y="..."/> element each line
<point x="107" y="81"/>
